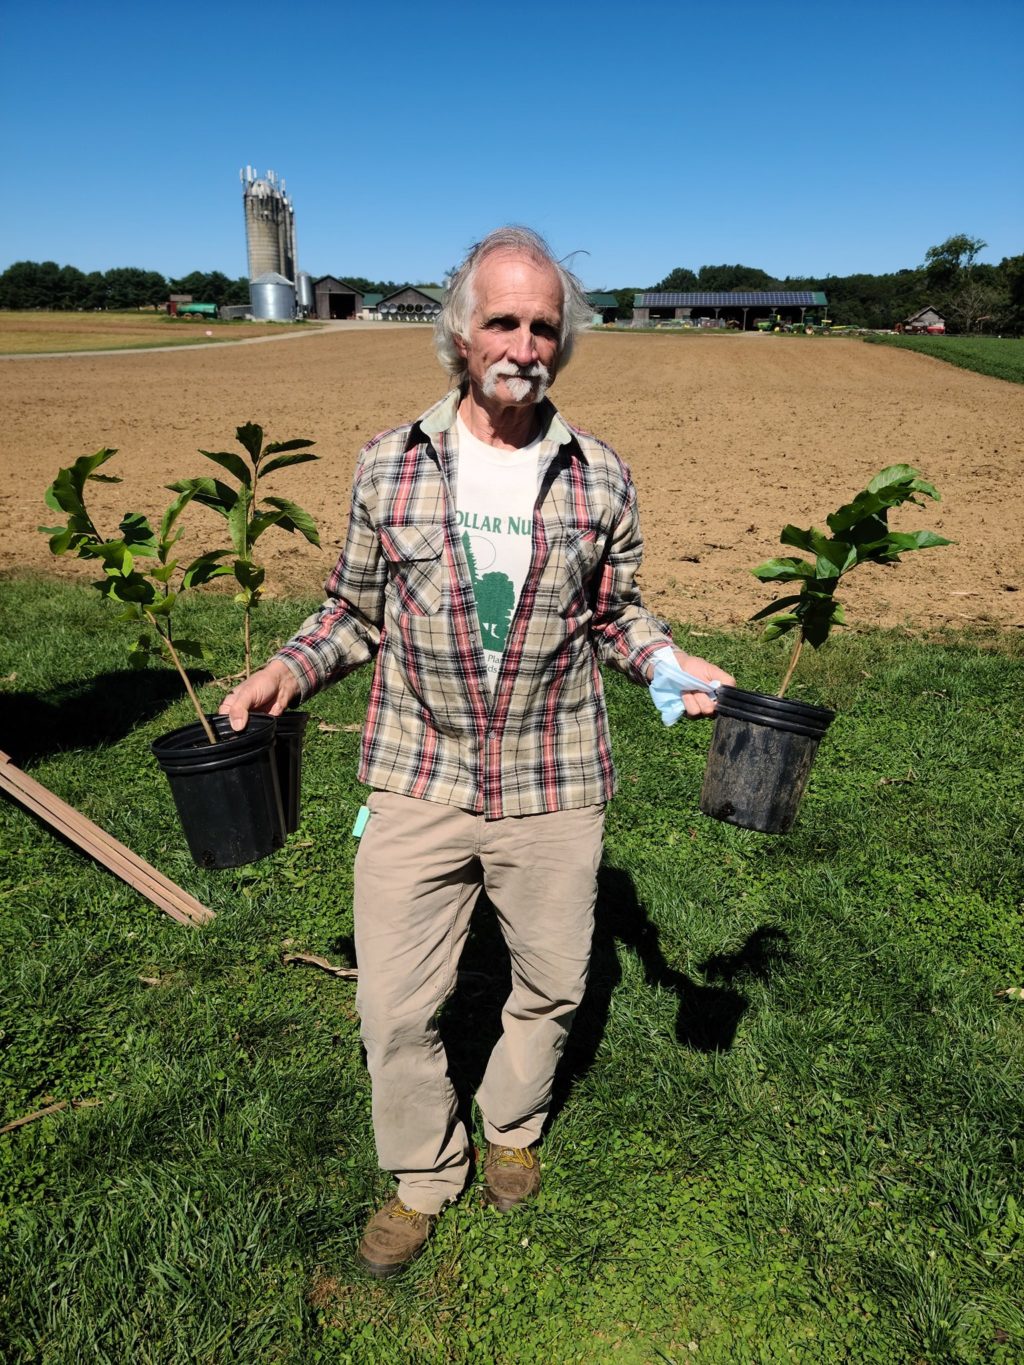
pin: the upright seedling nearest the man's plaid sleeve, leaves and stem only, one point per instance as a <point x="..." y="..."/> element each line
<point x="245" y="517"/>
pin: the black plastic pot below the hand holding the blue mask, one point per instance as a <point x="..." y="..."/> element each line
<point x="761" y="757"/>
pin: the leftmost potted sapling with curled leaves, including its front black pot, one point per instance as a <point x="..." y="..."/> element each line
<point x="226" y="786"/>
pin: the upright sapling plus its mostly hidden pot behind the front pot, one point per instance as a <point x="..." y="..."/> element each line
<point x="246" y="521"/>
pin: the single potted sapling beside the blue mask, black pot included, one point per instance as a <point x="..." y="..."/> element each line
<point x="764" y="746"/>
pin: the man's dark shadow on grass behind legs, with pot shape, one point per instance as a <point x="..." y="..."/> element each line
<point x="707" y="1018"/>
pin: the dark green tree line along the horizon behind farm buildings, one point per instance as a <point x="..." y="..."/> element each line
<point x="973" y="297"/>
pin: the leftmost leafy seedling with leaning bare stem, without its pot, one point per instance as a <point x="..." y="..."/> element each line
<point x="139" y="570"/>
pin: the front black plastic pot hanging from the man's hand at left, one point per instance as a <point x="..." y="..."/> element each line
<point x="229" y="796"/>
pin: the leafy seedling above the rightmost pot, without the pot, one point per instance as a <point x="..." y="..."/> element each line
<point x="861" y="536"/>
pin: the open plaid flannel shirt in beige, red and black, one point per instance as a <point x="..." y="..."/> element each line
<point x="402" y="594"/>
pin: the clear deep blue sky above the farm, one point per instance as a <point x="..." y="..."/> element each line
<point x="799" y="139"/>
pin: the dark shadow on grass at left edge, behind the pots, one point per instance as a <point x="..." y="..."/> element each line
<point x="88" y="715"/>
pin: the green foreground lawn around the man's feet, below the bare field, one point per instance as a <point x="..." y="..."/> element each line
<point x="790" y="1124"/>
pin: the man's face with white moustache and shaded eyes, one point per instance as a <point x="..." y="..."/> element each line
<point x="513" y="347"/>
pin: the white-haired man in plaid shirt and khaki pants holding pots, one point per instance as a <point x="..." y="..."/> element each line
<point x="488" y="569"/>
